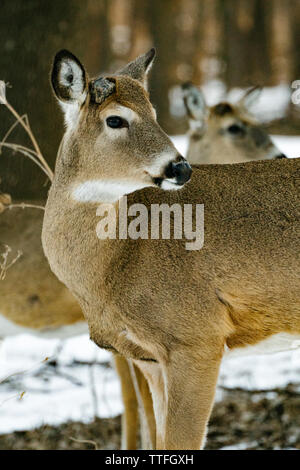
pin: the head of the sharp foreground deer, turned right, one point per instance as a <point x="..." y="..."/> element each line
<point x="113" y="144"/>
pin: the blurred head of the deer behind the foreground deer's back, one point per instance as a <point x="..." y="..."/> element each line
<point x="225" y="133"/>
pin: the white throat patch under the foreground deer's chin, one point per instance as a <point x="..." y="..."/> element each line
<point x="104" y="191"/>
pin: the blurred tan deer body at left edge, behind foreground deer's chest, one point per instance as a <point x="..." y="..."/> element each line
<point x="31" y="297"/>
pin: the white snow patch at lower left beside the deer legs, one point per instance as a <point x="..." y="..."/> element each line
<point x="54" y="395"/>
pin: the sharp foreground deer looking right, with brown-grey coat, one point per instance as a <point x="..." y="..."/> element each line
<point x="171" y="311"/>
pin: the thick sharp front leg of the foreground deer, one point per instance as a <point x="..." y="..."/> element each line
<point x="183" y="394"/>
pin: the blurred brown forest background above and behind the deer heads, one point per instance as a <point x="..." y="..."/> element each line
<point x="217" y="43"/>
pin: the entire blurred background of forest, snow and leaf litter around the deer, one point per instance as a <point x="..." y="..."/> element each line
<point x="73" y="399"/>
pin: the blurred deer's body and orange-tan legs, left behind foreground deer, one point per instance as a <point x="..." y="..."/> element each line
<point x="33" y="300"/>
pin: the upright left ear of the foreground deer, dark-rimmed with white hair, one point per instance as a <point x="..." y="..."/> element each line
<point x="68" y="78"/>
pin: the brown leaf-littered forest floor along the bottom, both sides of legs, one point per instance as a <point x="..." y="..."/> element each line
<point x="251" y="420"/>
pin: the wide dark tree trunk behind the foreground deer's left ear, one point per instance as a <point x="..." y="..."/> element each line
<point x="31" y="33"/>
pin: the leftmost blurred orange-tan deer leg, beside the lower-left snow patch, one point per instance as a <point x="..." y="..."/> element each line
<point x="130" y="415"/>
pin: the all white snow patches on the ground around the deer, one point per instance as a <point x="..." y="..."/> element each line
<point x="81" y="385"/>
